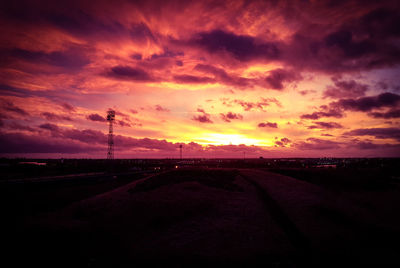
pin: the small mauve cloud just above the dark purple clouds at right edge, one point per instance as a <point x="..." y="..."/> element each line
<point x="345" y="89"/>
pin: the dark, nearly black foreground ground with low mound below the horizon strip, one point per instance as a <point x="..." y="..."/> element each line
<point x="205" y="217"/>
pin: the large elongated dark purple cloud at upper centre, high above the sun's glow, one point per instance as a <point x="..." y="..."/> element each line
<point x="240" y="47"/>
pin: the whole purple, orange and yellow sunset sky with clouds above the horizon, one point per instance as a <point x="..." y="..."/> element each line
<point x="222" y="78"/>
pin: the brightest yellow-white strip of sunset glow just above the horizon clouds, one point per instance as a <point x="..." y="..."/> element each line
<point x="231" y="139"/>
